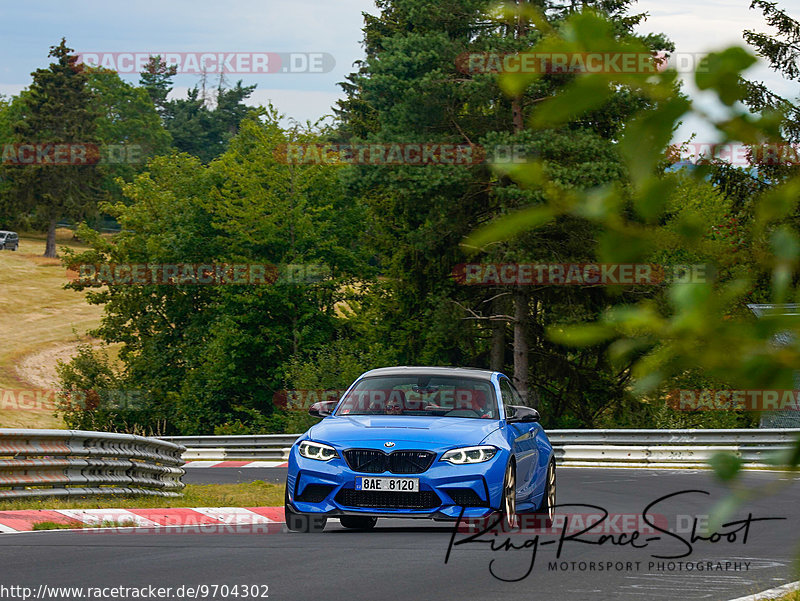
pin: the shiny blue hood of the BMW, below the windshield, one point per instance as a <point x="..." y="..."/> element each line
<point x="419" y="429"/>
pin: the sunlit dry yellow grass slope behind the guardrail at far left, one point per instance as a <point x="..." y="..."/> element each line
<point x="39" y="322"/>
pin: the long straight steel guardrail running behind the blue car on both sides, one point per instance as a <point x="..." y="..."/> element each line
<point x="611" y="448"/>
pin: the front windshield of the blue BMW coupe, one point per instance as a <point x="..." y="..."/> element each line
<point x="416" y="394"/>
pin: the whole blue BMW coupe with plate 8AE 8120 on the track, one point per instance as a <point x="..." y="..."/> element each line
<point x="421" y="442"/>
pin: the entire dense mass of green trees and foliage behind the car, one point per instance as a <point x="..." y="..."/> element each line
<point x="591" y="182"/>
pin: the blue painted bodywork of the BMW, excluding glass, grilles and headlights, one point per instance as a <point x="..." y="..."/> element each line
<point x="525" y="442"/>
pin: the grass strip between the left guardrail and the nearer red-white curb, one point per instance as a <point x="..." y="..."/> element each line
<point x="249" y="494"/>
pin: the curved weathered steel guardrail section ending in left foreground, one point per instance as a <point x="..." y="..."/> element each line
<point x="47" y="463"/>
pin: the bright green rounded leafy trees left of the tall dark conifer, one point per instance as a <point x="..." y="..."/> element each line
<point x="211" y="357"/>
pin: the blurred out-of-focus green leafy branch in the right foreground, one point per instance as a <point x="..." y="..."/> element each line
<point x="703" y="326"/>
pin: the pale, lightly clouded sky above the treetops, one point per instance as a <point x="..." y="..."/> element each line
<point x="309" y="28"/>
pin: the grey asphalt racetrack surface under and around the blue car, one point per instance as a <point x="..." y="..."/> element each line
<point x="405" y="559"/>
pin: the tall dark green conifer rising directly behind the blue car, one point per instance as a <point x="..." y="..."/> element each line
<point x="412" y="88"/>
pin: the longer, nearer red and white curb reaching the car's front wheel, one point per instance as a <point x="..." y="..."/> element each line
<point x="24" y="520"/>
